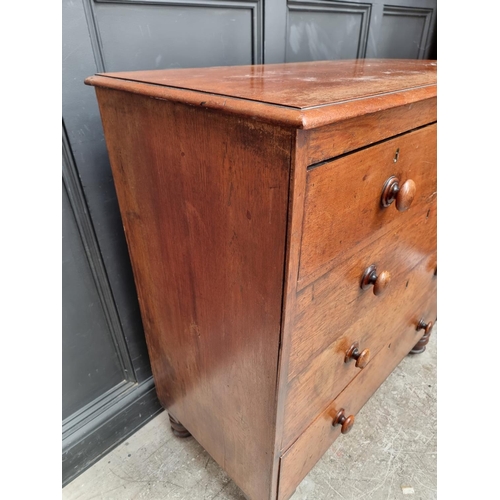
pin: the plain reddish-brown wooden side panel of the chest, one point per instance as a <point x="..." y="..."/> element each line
<point x="204" y="202"/>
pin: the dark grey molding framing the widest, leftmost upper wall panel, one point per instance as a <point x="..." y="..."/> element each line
<point x="255" y="6"/>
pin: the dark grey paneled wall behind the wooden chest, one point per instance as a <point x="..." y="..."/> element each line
<point x="108" y="391"/>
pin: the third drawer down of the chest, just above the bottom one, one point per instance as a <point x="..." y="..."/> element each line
<point x="328" y="373"/>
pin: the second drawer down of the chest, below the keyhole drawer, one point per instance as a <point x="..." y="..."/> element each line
<point x="327" y="307"/>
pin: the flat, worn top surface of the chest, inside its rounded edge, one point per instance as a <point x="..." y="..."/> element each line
<point x="297" y="85"/>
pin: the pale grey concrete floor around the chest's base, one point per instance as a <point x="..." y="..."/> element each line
<point x="389" y="454"/>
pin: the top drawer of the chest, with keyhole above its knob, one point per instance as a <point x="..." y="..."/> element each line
<point x="343" y="209"/>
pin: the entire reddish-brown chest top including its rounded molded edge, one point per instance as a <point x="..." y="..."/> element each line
<point x="304" y="94"/>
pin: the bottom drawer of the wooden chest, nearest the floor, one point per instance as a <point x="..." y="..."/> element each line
<point x="301" y="457"/>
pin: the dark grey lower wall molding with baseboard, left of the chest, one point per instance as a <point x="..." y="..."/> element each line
<point x="103" y="423"/>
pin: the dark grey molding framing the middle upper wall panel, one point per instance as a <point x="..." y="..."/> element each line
<point x="363" y="9"/>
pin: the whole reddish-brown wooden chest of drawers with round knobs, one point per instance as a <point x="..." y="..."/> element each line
<point x="281" y="222"/>
